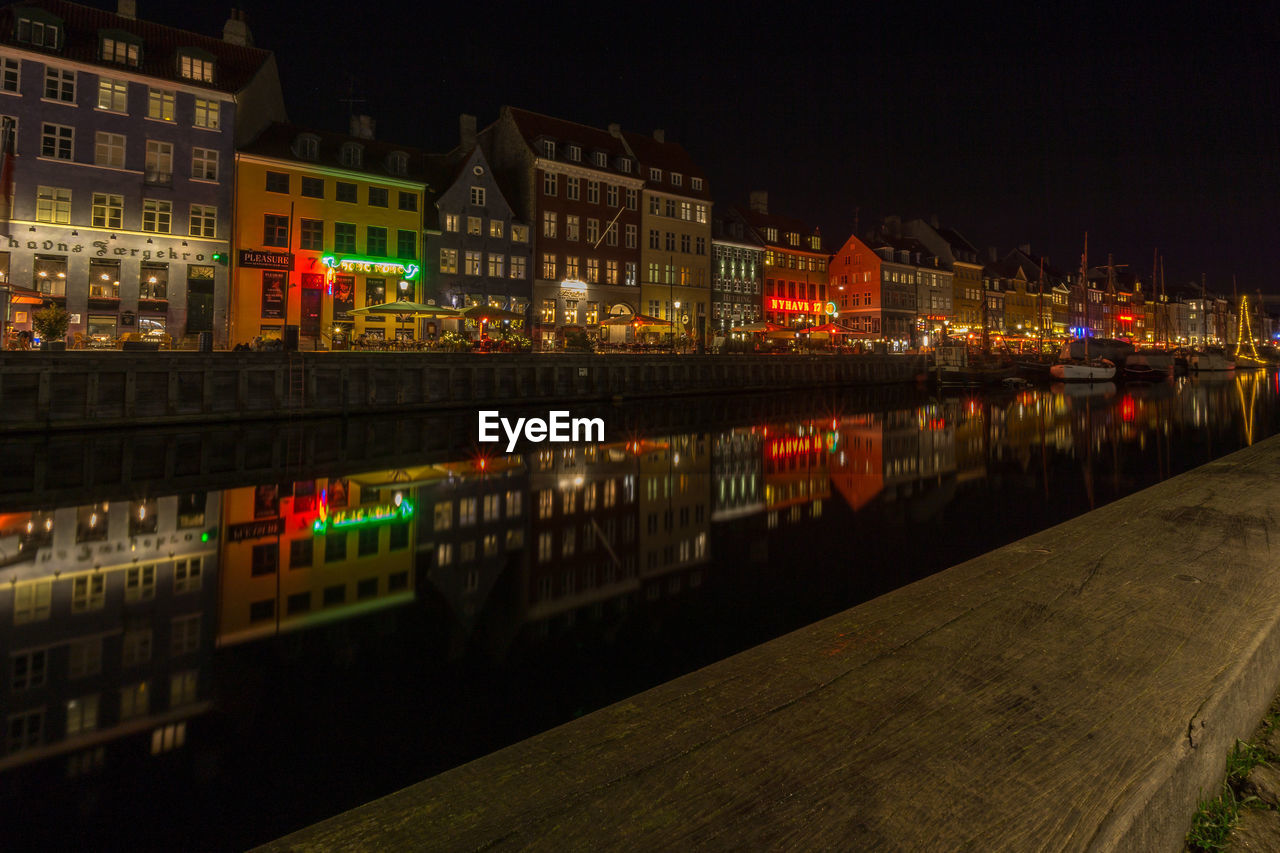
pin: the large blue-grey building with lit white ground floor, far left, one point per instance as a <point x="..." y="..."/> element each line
<point x="126" y="138"/>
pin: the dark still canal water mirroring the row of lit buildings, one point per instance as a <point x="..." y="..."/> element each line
<point x="214" y="637"/>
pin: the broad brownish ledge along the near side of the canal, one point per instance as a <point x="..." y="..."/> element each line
<point x="1075" y="691"/>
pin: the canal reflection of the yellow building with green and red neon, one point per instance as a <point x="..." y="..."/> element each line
<point x="313" y="551"/>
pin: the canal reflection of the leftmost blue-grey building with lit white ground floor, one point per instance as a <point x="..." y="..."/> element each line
<point x="107" y="613"/>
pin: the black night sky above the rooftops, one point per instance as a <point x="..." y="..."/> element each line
<point x="1146" y="127"/>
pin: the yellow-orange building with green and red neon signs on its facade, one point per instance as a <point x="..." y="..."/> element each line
<point x="335" y="222"/>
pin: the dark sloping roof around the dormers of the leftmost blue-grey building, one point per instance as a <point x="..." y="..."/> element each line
<point x="235" y="66"/>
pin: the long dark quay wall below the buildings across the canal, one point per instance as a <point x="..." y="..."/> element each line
<point x="76" y="390"/>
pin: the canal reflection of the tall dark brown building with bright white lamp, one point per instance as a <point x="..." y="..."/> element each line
<point x="583" y="527"/>
